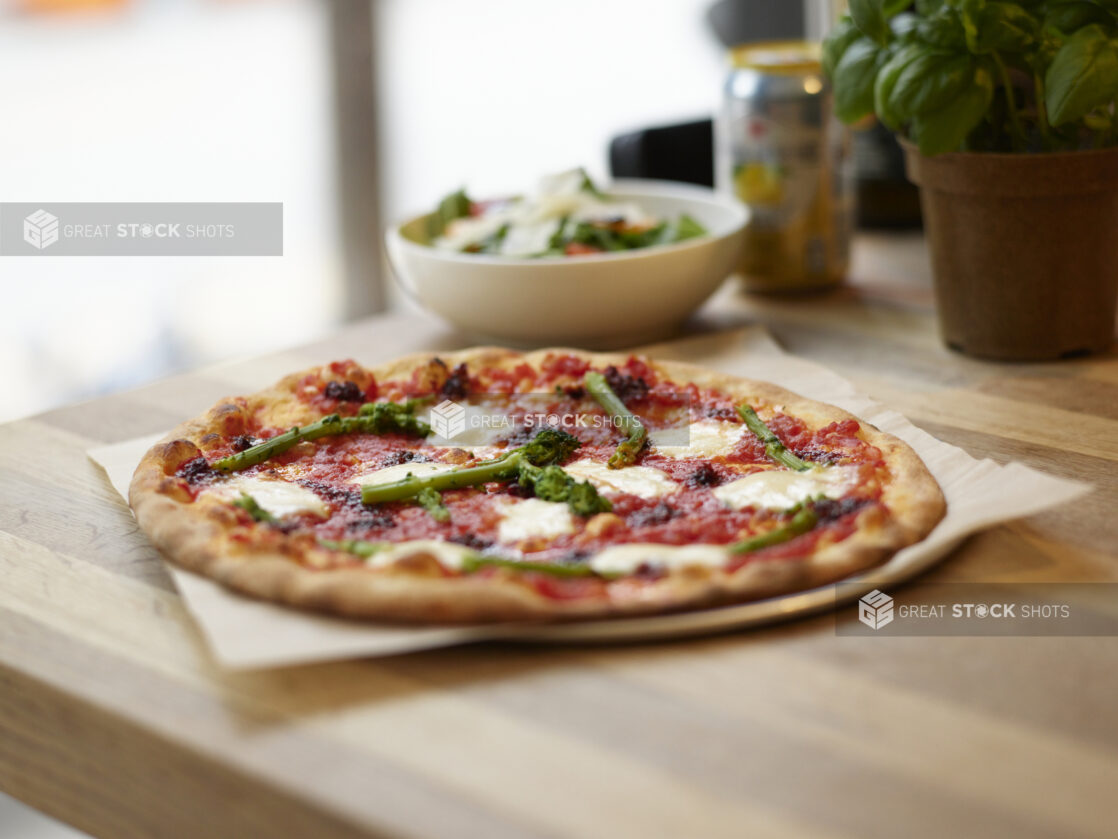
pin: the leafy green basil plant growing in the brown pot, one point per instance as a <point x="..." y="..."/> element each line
<point x="981" y="76"/>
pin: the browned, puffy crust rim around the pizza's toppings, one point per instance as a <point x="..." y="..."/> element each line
<point x="195" y="534"/>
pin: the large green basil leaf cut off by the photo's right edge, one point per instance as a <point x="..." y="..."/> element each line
<point x="1083" y="77"/>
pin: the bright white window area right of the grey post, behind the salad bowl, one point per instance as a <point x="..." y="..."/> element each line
<point x="494" y="93"/>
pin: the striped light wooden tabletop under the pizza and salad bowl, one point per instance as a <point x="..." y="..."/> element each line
<point x="115" y="719"/>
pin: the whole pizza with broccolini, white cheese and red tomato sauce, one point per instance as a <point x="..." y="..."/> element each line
<point x="585" y="486"/>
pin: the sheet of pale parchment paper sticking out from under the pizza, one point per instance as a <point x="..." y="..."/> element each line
<point x="245" y="634"/>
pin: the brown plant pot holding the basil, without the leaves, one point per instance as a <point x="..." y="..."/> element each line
<point x="1025" y="250"/>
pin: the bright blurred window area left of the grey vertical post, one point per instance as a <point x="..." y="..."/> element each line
<point x="164" y="102"/>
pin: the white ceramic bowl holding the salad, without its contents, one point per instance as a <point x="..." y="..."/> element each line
<point x="599" y="300"/>
